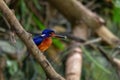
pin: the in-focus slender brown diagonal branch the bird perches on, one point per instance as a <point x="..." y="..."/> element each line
<point x="27" y="39"/>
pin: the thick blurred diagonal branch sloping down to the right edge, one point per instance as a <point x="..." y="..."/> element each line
<point x="74" y="11"/>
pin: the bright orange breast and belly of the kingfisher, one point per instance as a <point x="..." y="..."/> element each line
<point x="45" y="44"/>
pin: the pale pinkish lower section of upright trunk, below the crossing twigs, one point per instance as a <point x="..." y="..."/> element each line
<point x="74" y="65"/>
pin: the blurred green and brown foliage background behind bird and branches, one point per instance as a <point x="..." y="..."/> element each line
<point x="36" y="15"/>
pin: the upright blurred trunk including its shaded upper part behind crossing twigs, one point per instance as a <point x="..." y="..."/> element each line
<point x="74" y="60"/>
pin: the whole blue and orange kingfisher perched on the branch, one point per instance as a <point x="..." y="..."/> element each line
<point x="44" y="40"/>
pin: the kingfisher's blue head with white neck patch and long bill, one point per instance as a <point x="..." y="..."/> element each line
<point x="50" y="33"/>
